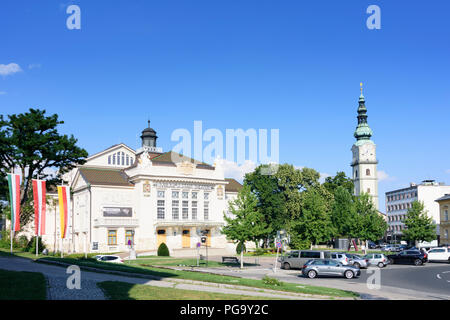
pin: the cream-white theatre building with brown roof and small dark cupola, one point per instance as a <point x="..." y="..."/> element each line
<point x="146" y="197"/>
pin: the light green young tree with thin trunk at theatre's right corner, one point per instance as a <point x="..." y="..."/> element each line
<point x="246" y="222"/>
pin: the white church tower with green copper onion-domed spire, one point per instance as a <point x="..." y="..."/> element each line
<point x="364" y="162"/>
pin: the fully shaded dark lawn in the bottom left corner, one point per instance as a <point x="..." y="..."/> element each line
<point x="22" y="285"/>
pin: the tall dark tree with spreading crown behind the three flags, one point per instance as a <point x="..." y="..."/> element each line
<point x="31" y="143"/>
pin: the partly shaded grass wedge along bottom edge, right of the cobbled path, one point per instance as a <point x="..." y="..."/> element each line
<point x="126" y="291"/>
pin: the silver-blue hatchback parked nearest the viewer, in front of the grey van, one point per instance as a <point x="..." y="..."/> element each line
<point x="329" y="267"/>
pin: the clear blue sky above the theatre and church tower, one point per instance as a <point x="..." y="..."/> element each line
<point x="290" y="65"/>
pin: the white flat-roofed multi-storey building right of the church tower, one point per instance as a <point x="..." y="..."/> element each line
<point x="399" y="201"/>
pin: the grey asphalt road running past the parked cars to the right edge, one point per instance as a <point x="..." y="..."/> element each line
<point x="430" y="281"/>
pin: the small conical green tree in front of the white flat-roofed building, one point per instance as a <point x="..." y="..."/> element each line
<point x="419" y="226"/>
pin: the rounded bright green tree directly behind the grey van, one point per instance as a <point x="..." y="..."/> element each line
<point x="314" y="223"/>
